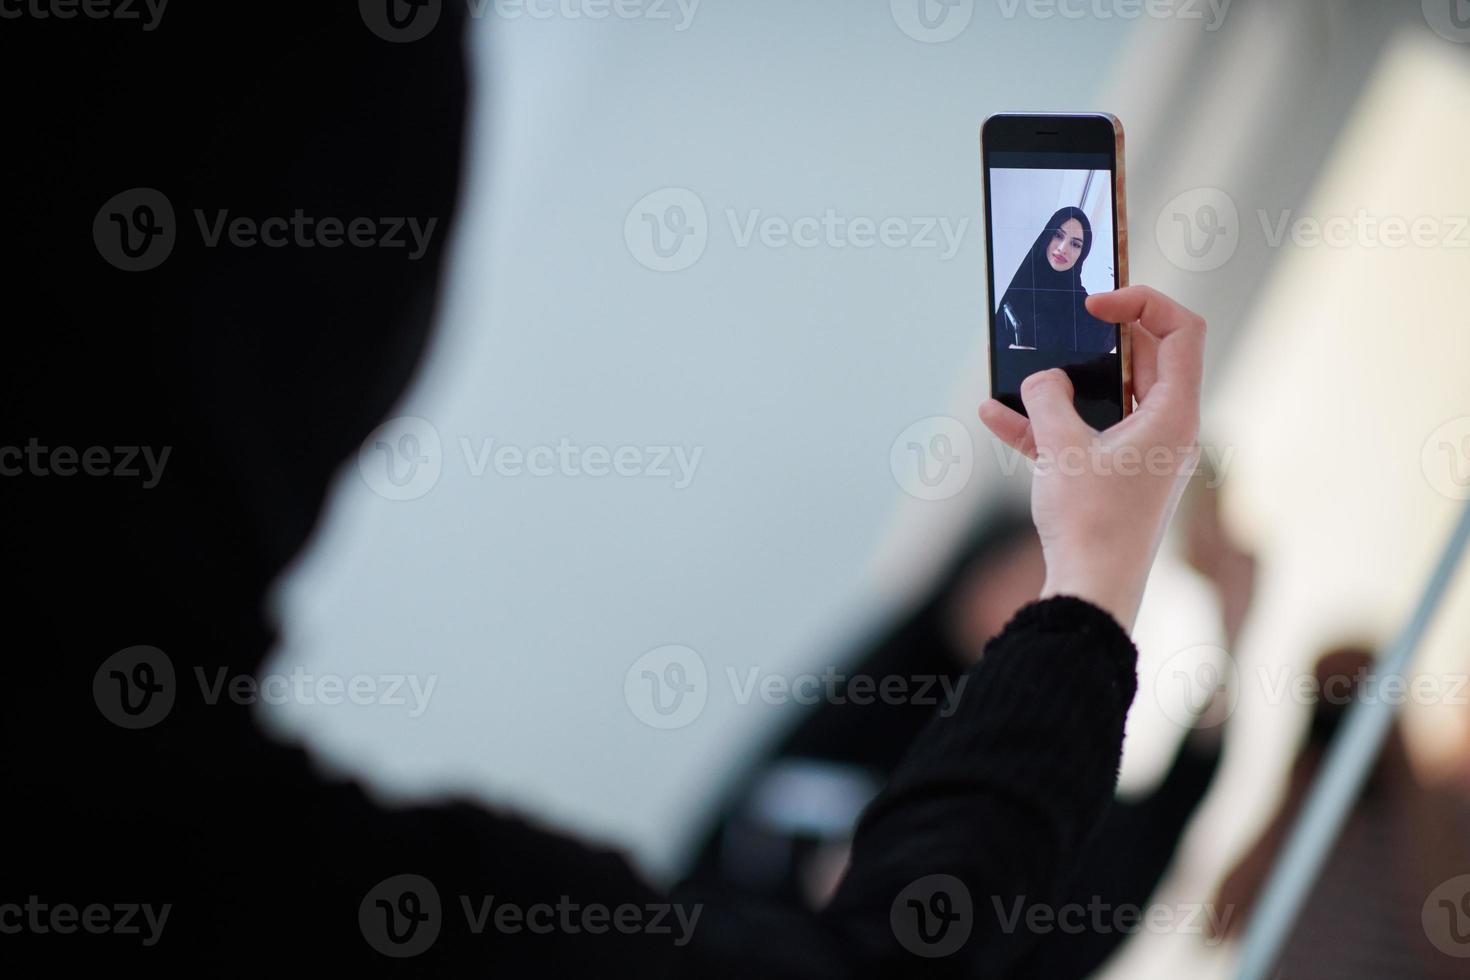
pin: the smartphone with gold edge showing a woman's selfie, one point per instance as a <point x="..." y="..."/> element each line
<point x="1056" y="231"/>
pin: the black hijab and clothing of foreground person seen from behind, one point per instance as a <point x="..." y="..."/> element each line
<point x="255" y="375"/>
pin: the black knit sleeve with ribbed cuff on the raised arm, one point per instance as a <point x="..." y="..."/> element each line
<point x="999" y="796"/>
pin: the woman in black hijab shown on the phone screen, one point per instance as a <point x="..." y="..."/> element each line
<point x="1044" y="306"/>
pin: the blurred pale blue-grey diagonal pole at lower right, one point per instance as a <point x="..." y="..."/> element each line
<point x="1350" y="759"/>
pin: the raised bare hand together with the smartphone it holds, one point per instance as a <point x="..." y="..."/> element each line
<point x="1069" y="343"/>
